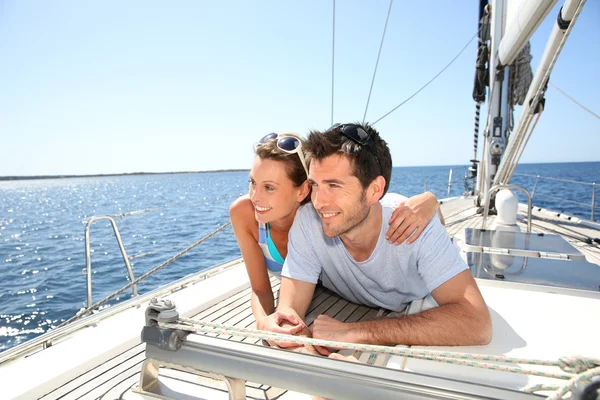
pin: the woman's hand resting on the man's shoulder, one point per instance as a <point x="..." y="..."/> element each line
<point x="410" y="218"/>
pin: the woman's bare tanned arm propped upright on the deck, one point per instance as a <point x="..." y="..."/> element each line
<point x="241" y="213"/>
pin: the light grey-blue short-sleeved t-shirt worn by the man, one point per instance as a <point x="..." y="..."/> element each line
<point x="390" y="278"/>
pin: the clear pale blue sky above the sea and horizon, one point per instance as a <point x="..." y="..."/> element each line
<point x="114" y="86"/>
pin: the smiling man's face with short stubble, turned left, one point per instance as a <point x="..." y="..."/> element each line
<point x="337" y="195"/>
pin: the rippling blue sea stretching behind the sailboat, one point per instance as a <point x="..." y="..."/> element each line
<point x="42" y="247"/>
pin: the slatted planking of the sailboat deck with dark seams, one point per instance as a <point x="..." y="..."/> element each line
<point x="115" y="378"/>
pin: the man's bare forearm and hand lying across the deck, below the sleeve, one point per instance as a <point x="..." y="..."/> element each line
<point x="461" y="319"/>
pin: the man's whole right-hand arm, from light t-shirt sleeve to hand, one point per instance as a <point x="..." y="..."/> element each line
<point x="462" y="317"/>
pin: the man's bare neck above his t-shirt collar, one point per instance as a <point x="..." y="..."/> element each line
<point x="361" y="240"/>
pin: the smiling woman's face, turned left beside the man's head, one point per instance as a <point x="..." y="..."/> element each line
<point x="272" y="192"/>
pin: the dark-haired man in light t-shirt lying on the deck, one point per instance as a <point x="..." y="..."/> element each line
<point x="340" y="239"/>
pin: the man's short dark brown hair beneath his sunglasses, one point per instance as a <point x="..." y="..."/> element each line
<point x="368" y="162"/>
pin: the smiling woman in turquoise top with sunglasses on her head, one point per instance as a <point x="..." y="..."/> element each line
<point x="262" y="219"/>
